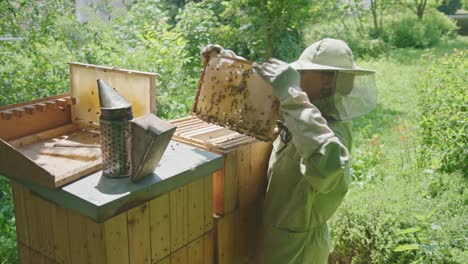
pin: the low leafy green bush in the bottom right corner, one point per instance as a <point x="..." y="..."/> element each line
<point x="403" y="221"/>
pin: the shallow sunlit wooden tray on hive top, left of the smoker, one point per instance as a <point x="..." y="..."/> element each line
<point x="26" y="158"/>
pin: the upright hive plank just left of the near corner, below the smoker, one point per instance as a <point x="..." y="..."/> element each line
<point x="96" y="242"/>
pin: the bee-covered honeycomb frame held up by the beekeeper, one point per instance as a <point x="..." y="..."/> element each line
<point x="232" y="95"/>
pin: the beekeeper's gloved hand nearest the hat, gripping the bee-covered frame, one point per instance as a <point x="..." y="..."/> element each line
<point x="280" y="75"/>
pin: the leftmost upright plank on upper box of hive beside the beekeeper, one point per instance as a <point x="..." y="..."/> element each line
<point x="231" y="182"/>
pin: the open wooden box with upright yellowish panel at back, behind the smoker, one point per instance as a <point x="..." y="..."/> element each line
<point x="26" y="129"/>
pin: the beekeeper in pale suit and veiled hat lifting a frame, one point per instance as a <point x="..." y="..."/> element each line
<point x="308" y="173"/>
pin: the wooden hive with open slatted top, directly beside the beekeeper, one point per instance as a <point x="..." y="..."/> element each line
<point x="238" y="189"/>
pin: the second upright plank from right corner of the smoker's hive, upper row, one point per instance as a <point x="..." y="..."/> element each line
<point x="196" y="208"/>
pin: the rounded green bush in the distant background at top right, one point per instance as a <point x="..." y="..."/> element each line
<point x="408" y="31"/>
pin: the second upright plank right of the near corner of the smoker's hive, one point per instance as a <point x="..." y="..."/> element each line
<point x="139" y="234"/>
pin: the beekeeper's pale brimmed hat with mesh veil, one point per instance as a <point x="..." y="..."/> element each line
<point x="355" y="91"/>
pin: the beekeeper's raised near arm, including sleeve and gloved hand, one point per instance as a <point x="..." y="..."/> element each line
<point x="323" y="155"/>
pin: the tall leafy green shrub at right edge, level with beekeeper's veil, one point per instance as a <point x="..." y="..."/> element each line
<point x="444" y="114"/>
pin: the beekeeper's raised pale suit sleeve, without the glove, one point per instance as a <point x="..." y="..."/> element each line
<point x="323" y="154"/>
